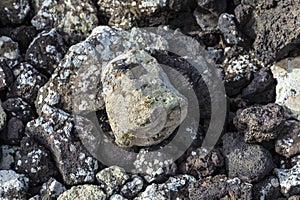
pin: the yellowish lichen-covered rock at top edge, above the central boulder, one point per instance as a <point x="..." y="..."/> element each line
<point x="126" y="14"/>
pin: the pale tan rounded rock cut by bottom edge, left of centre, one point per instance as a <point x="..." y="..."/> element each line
<point x="83" y="192"/>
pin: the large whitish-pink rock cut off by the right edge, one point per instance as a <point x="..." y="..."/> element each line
<point x="287" y="74"/>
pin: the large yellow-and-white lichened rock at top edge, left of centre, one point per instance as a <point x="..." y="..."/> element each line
<point x="74" y="18"/>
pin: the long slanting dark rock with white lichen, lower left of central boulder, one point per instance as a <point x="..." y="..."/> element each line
<point x="54" y="129"/>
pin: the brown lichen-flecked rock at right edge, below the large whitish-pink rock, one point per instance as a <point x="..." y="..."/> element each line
<point x="288" y="143"/>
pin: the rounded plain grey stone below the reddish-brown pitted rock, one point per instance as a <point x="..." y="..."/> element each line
<point x="249" y="162"/>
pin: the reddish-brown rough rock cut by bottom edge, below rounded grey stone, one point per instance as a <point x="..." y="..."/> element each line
<point x="220" y="187"/>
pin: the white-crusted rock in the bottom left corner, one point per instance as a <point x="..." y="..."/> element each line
<point x="12" y="185"/>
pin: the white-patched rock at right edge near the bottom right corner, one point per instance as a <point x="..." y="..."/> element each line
<point x="289" y="180"/>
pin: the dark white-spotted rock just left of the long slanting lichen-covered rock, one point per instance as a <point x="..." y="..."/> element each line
<point x="35" y="162"/>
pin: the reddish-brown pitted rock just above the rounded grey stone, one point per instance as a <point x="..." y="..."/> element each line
<point x="260" y="123"/>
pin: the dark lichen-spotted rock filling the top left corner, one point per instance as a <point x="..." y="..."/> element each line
<point x="13" y="12"/>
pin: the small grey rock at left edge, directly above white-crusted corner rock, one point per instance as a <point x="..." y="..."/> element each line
<point x="8" y="153"/>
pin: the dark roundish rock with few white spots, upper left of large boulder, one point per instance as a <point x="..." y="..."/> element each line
<point x="46" y="51"/>
